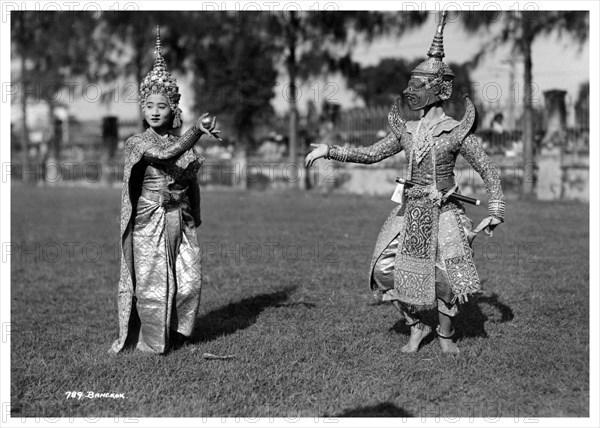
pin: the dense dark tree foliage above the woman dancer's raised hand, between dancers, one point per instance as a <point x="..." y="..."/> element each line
<point x="234" y="70"/>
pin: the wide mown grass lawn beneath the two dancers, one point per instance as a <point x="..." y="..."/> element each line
<point x="285" y="291"/>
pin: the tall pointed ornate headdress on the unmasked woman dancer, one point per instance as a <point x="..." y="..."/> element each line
<point x="160" y="81"/>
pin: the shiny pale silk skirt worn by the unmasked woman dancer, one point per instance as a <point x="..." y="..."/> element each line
<point x="167" y="263"/>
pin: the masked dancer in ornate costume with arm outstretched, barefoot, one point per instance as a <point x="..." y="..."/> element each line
<point x="423" y="258"/>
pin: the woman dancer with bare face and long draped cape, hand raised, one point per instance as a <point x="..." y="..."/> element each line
<point x="161" y="275"/>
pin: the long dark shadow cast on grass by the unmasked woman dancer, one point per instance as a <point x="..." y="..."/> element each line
<point x="237" y="316"/>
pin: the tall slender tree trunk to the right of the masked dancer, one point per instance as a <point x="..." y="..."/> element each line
<point x="528" y="158"/>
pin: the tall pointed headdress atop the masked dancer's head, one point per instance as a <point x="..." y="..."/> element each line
<point x="433" y="68"/>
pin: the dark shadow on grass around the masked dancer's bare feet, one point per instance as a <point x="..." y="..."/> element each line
<point x="471" y="320"/>
